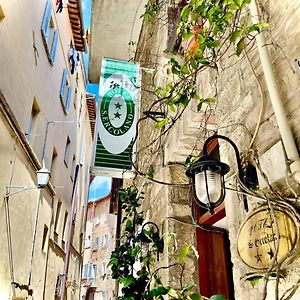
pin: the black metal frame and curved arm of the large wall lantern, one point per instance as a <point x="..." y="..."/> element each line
<point x="206" y="162"/>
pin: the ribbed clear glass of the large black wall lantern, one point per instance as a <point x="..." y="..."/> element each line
<point x="208" y="186"/>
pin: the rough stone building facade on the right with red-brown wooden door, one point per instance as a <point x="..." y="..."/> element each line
<point x="245" y="112"/>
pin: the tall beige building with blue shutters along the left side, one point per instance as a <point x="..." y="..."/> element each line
<point x="44" y="118"/>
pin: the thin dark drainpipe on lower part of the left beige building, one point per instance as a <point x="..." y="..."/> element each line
<point x="71" y="229"/>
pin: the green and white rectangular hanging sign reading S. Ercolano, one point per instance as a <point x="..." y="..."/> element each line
<point x="117" y="114"/>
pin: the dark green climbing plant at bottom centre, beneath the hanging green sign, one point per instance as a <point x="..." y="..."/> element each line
<point x="134" y="267"/>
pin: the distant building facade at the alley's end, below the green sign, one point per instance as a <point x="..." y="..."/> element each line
<point x="99" y="243"/>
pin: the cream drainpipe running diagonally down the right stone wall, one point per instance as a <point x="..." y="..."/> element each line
<point x="276" y="100"/>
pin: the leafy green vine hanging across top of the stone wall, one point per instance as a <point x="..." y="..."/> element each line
<point x="214" y="27"/>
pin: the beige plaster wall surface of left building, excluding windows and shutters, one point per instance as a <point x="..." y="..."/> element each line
<point x="21" y="81"/>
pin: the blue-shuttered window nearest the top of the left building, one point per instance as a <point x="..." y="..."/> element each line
<point x="49" y="33"/>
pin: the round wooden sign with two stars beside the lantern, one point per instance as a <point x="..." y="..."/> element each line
<point x="258" y="237"/>
